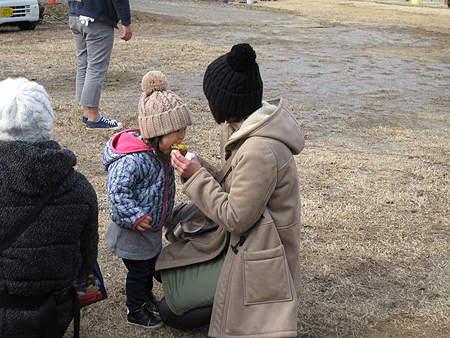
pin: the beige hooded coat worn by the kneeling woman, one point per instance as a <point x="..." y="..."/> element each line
<point x="257" y="208"/>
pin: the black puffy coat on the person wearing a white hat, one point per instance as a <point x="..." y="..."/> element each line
<point x="60" y="245"/>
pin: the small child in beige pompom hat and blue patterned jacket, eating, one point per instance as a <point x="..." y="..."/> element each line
<point x="141" y="189"/>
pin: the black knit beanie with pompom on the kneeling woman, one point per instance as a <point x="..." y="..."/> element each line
<point x="232" y="82"/>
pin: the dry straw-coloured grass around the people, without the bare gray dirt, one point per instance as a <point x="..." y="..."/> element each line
<point x="375" y="246"/>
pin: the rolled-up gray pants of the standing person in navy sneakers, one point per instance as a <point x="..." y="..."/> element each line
<point x="94" y="45"/>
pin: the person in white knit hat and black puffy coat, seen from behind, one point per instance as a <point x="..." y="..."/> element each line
<point x="61" y="243"/>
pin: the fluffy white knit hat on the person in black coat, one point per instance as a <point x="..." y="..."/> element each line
<point x="26" y="113"/>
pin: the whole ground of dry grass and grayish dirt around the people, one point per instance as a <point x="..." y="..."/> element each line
<point x="369" y="83"/>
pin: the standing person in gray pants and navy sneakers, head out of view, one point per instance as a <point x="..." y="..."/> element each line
<point x="92" y="23"/>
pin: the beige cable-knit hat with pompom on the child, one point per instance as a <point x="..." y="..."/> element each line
<point x="161" y="111"/>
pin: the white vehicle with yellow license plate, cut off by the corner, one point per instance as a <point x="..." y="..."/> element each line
<point x="21" y="13"/>
